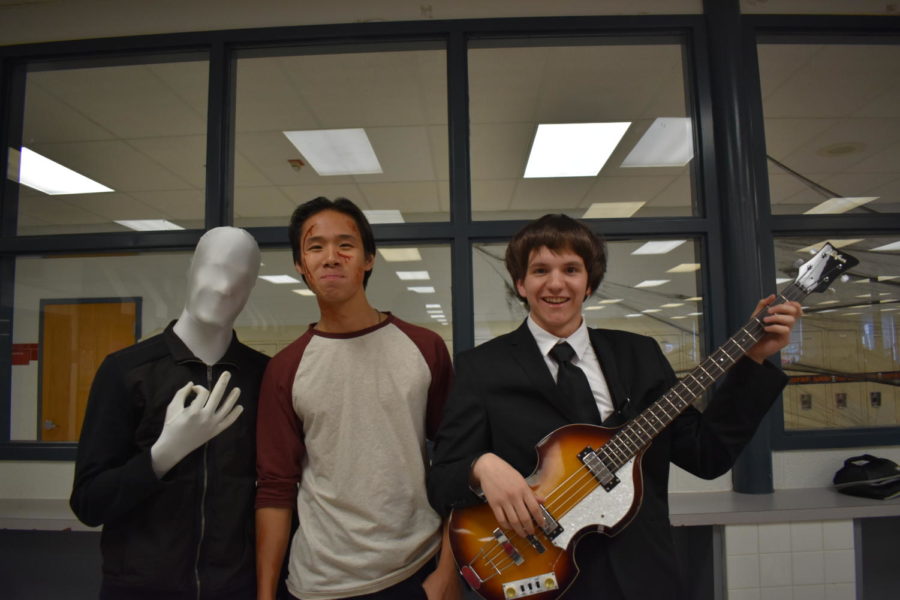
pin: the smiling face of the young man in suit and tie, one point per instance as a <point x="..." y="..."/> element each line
<point x="555" y="286"/>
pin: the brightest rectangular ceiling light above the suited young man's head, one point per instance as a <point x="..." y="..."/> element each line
<point x="572" y="149"/>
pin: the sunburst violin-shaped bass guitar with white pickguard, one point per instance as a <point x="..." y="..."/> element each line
<point x="590" y="476"/>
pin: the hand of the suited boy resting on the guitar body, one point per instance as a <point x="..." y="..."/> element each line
<point x="514" y="503"/>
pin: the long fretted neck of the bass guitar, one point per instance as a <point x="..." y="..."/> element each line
<point x="640" y="431"/>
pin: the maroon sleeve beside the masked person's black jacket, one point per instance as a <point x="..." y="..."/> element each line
<point x="279" y="431"/>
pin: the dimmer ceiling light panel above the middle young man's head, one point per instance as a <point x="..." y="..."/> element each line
<point x="336" y="151"/>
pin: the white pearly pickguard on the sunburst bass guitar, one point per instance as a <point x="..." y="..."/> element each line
<point x="599" y="507"/>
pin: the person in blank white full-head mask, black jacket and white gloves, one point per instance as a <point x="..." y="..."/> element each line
<point x="166" y="458"/>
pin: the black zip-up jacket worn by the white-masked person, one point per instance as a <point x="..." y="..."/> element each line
<point x="190" y="534"/>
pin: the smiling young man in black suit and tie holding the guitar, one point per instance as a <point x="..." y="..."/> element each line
<point x="505" y="400"/>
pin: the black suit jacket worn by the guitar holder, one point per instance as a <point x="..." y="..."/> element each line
<point x="504" y="401"/>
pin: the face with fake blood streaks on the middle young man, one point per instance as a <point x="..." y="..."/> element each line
<point x="332" y="258"/>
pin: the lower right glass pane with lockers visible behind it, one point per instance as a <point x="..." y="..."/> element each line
<point x="844" y="359"/>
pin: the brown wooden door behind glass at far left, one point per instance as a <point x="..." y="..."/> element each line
<point x="76" y="335"/>
